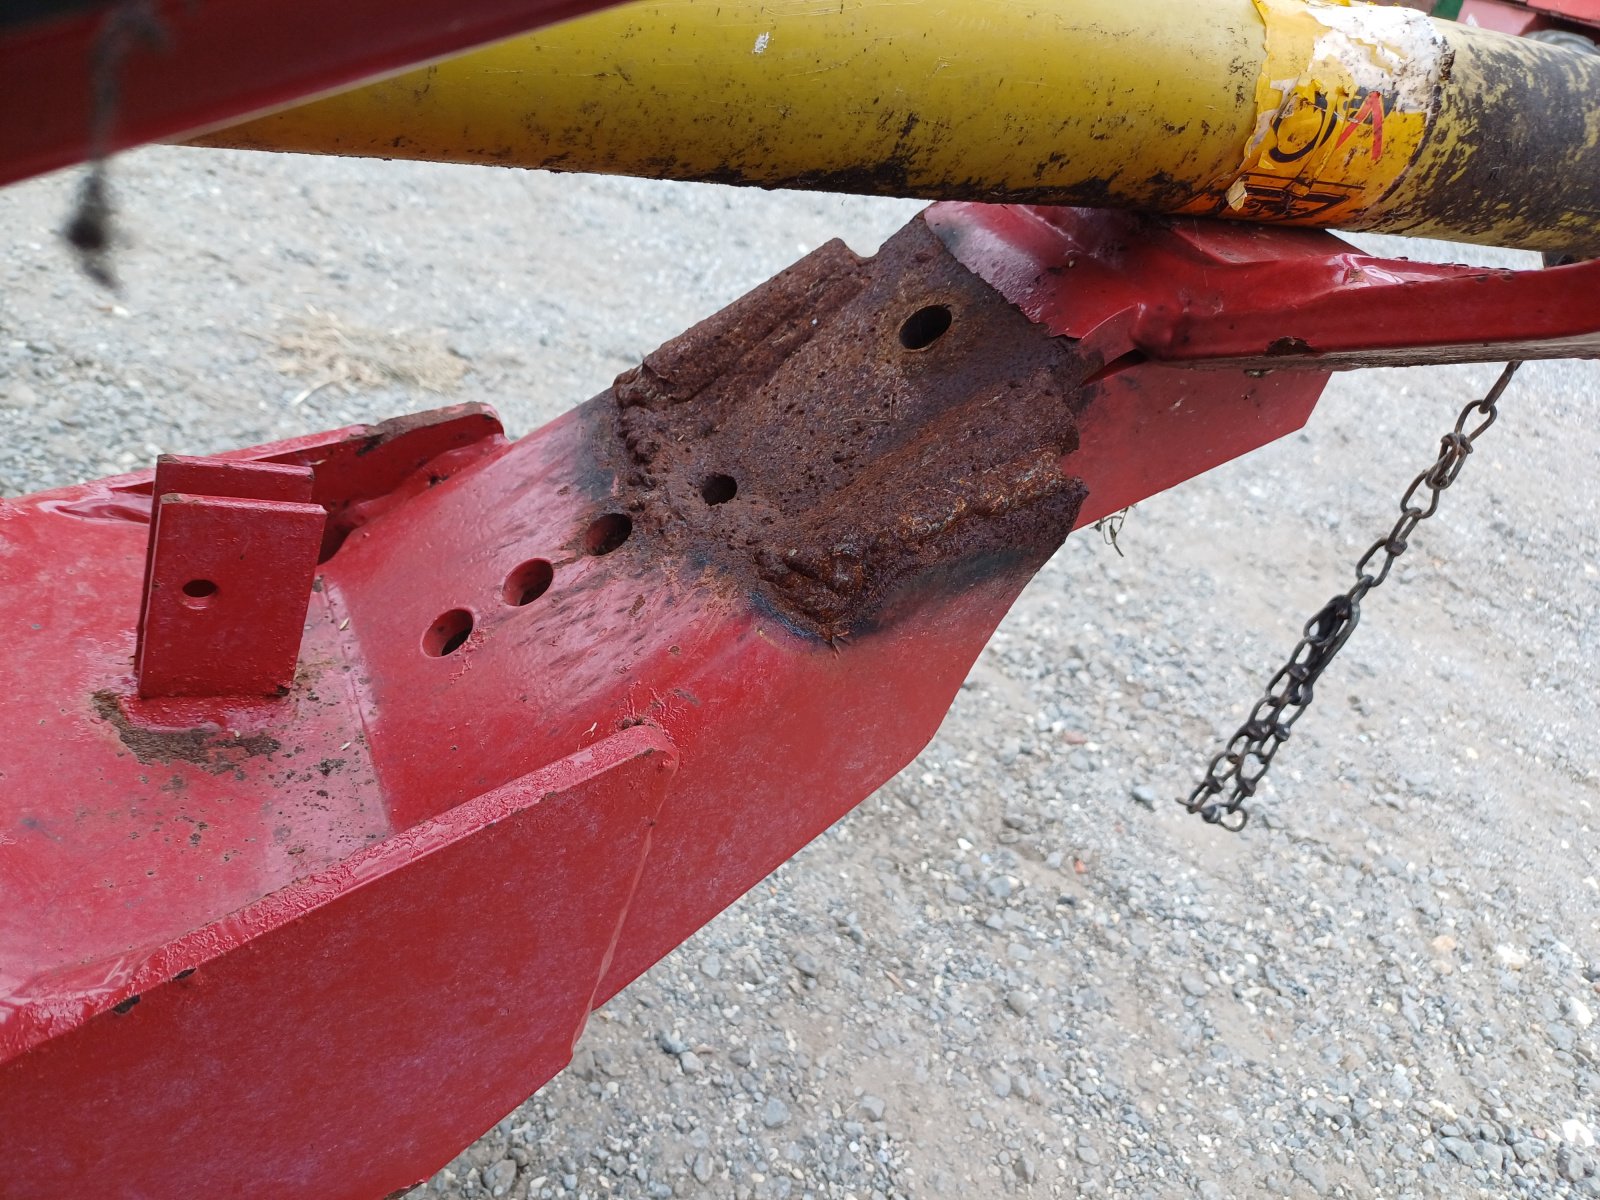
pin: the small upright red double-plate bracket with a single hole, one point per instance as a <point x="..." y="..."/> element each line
<point x="228" y="577"/>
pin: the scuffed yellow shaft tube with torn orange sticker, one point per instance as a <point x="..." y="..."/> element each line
<point x="1302" y="111"/>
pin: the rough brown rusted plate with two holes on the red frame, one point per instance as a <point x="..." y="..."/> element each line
<point x="852" y="428"/>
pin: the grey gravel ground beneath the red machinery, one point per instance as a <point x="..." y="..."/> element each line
<point x="1018" y="969"/>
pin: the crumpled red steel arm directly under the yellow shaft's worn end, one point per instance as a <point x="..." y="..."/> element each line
<point x="1212" y="294"/>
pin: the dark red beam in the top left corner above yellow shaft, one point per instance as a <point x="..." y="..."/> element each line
<point x="100" y="78"/>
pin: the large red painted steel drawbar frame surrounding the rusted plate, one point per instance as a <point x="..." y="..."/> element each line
<point x="244" y="942"/>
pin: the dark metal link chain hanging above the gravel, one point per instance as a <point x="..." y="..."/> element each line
<point x="1241" y="767"/>
